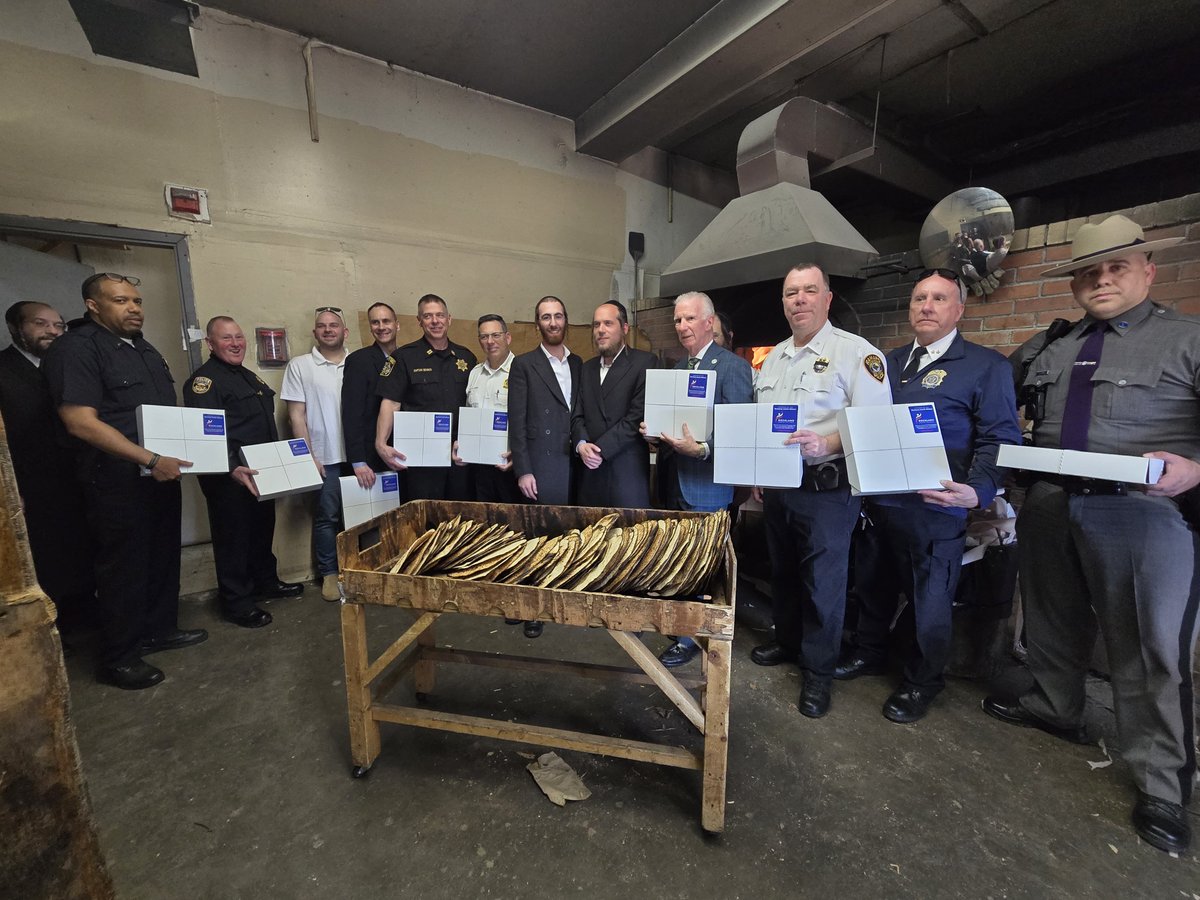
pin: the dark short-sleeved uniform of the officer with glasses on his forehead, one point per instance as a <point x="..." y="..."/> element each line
<point x="134" y="520"/>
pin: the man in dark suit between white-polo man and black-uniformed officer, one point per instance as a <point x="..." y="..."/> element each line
<point x="361" y="397"/>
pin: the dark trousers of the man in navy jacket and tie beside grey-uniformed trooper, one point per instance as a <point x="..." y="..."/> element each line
<point x="916" y="553"/>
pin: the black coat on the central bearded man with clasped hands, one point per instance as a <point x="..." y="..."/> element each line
<point x="609" y="416"/>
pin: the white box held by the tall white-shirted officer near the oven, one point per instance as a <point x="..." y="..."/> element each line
<point x="748" y="446"/>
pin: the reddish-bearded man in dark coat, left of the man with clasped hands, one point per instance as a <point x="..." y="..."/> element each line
<point x="544" y="386"/>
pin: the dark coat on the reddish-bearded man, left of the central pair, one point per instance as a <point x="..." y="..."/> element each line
<point x="541" y="424"/>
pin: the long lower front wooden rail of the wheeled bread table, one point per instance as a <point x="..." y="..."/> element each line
<point x="539" y="736"/>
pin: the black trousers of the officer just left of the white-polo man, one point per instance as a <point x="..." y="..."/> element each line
<point x="243" y="531"/>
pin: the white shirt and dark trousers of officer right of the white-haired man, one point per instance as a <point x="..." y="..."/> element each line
<point x="809" y="529"/>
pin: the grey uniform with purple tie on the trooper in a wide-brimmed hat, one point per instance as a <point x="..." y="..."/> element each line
<point x="1112" y="549"/>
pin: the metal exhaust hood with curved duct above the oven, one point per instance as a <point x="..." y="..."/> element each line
<point x="779" y="221"/>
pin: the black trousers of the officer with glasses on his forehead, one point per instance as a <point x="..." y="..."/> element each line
<point x="135" y="524"/>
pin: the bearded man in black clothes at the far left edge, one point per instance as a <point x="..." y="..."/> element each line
<point x="45" y="466"/>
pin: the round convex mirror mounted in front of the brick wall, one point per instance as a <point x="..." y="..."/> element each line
<point x="969" y="232"/>
